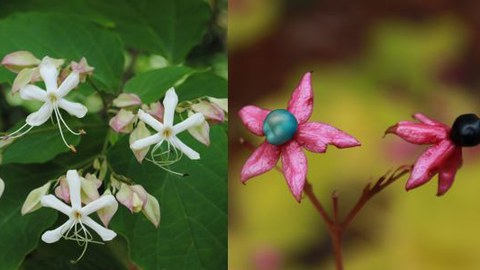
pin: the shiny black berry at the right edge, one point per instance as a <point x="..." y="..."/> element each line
<point x="466" y="130"/>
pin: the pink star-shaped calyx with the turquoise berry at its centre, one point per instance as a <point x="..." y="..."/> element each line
<point x="286" y="132"/>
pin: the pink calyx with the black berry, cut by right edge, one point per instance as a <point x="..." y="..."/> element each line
<point x="444" y="157"/>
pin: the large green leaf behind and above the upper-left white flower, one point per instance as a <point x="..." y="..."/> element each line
<point x="67" y="37"/>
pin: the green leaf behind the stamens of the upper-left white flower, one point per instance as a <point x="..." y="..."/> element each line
<point x="44" y="143"/>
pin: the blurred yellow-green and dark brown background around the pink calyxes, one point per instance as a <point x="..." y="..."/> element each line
<point x="375" y="63"/>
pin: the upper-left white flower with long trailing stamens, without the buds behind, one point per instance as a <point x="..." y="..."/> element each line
<point x="53" y="99"/>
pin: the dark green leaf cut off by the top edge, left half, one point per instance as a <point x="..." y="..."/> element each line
<point x="170" y="28"/>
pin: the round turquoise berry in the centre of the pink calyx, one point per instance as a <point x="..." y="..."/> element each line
<point x="280" y="126"/>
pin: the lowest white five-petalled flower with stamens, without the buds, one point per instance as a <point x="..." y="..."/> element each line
<point x="74" y="228"/>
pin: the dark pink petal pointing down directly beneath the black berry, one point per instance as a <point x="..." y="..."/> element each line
<point x="447" y="172"/>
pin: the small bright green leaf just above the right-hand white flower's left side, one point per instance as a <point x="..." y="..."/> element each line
<point x="152" y="85"/>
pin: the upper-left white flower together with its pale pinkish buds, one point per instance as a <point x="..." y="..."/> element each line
<point x="31" y="70"/>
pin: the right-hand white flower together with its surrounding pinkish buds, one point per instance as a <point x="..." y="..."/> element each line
<point x="167" y="147"/>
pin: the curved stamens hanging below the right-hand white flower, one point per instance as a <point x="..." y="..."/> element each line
<point x="165" y="158"/>
